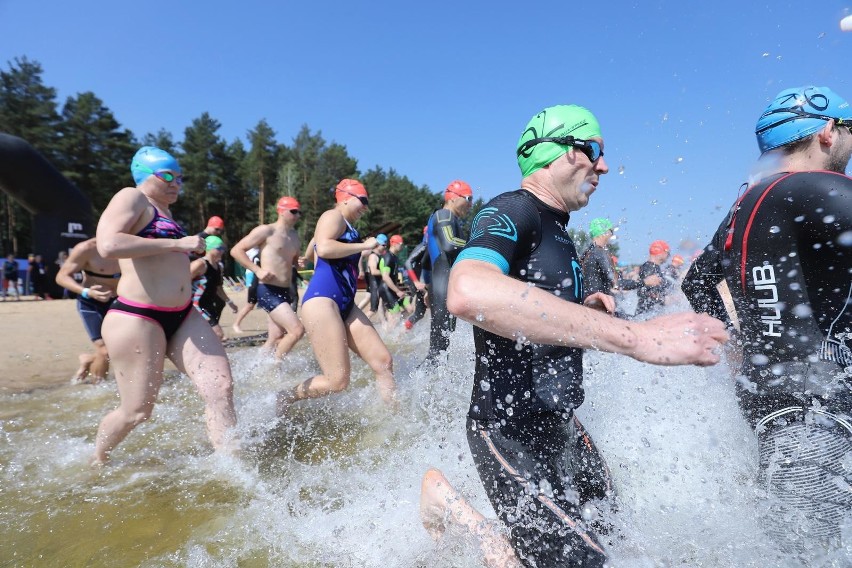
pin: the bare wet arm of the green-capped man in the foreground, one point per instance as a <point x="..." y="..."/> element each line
<point x="511" y="308"/>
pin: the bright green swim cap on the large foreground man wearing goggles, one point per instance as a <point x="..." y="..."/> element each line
<point x="559" y="120"/>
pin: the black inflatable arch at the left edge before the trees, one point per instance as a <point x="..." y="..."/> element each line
<point x="62" y="215"/>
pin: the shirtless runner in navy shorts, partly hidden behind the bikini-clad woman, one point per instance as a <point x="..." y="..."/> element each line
<point x="94" y="295"/>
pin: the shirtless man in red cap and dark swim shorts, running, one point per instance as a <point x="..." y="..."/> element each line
<point x="279" y="246"/>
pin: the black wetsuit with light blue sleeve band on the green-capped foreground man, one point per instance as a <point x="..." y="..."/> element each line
<point x="536" y="462"/>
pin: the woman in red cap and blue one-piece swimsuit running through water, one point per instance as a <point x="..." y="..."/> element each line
<point x="332" y="320"/>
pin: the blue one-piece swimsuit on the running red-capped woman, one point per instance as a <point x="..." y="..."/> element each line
<point x="337" y="278"/>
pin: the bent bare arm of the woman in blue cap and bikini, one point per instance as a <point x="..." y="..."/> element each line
<point x="115" y="230"/>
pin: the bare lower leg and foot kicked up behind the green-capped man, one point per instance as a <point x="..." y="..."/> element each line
<point x="440" y="503"/>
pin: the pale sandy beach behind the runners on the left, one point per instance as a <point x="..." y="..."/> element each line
<point x="42" y="339"/>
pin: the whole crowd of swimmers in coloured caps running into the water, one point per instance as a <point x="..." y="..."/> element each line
<point x="535" y="305"/>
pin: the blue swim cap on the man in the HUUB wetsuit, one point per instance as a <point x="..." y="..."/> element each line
<point x="797" y="113"/>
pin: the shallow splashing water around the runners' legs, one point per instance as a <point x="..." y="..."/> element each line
<point x="337" y="485"/>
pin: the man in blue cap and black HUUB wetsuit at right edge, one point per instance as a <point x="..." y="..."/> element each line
<point x="783" y="251"/>
